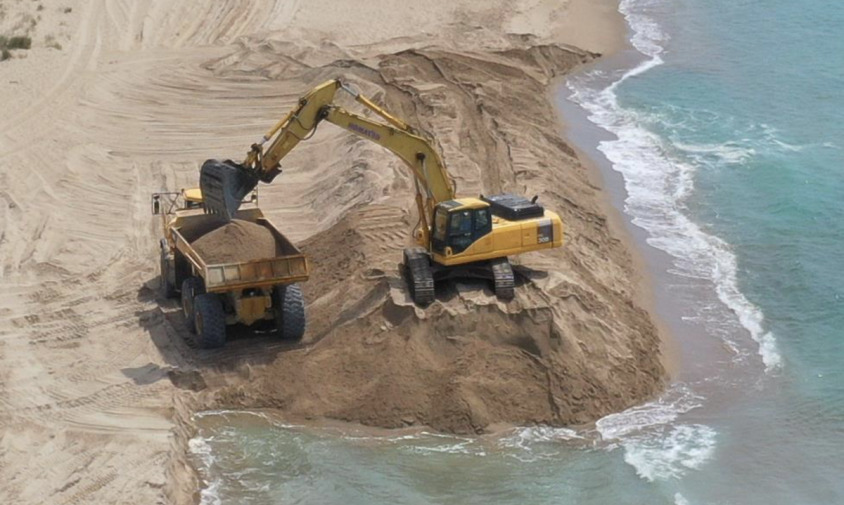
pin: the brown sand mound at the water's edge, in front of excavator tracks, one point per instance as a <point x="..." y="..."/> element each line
<point x="467" y="362"/>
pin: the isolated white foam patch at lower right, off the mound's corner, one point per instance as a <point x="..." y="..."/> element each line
<point x="685" y="447"/>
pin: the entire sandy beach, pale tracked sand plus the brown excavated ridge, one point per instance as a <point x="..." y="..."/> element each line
<point x="97" y="377"/>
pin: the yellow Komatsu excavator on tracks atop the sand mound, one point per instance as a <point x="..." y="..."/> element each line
<point x="456" y="237"/>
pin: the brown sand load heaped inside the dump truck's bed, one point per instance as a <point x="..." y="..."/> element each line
<point x="235" y="242"/>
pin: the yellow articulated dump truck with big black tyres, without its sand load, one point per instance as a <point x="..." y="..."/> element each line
<point x="216" y="295"/>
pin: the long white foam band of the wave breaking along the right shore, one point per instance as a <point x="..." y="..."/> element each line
<point x="657" y="184"/>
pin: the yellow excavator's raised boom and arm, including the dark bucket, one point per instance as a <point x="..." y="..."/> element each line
<point x="224" y="184"/>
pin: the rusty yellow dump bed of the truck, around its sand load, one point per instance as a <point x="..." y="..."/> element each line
<point x="287" y="267"/>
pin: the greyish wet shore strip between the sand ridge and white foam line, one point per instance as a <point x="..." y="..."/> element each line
<point x="693" y="353"/>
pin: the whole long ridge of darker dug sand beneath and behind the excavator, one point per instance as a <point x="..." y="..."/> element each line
<point x="572" y="347"/>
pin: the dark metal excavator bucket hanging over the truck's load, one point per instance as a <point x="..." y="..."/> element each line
<point x="224" y="185"/>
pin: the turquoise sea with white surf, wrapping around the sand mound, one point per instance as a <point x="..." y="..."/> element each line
<point x="720" y="136"/>
